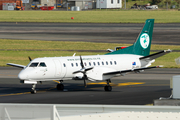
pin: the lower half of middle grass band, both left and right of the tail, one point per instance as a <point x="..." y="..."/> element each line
<point x="21" y="57"/>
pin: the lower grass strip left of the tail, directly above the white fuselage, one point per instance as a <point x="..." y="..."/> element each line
<point x="21" y="57"/>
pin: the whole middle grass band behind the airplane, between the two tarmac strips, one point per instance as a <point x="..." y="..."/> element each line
<point x="19" y="55"/>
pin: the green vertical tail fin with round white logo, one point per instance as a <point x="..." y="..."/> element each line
<point x="142" y="44"/>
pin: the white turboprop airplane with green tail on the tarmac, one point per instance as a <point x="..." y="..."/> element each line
<point x="134" y="58"/>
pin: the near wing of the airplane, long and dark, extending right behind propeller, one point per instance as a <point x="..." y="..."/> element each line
<point x="131" y="70"/>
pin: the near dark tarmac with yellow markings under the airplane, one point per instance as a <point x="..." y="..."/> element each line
<point x="131" y="89"/>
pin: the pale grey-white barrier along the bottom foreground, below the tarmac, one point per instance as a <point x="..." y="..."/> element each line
<point x="87" y="112"/>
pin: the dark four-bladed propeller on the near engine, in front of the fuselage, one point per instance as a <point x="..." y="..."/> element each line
<point x="83" y="70"/>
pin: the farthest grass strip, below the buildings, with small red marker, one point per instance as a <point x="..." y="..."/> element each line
<point x="90" y="16"/>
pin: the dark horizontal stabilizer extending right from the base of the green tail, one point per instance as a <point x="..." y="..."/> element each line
<point x="155" y="55"/>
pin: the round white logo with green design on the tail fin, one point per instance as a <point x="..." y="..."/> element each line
<point x="144" y="40"/>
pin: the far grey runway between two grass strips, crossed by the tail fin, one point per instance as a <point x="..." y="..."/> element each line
<point x="167" y="34"/>
